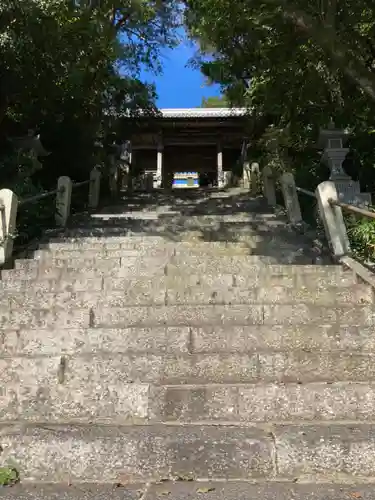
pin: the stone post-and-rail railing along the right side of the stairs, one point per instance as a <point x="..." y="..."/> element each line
<point x="330" y="210"/>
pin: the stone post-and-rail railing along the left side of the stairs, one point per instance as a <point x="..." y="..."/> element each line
<point x="10" y="205"/>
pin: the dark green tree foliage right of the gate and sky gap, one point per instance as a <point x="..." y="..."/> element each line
<point x="296" y="64"/>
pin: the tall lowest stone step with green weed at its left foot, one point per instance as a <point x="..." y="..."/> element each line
<point x="124" y="454"/>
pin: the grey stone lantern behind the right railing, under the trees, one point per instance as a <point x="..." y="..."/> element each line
<point x="332" y="141"/>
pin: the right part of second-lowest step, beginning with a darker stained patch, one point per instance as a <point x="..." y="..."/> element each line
<point x="342" y="401"/>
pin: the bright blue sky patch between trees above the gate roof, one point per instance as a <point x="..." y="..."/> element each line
<point x="180" y="86"/>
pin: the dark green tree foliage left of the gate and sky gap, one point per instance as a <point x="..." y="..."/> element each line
<point x="67" y="67"/>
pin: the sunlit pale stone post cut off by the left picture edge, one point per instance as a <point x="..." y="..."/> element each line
<point x="8" y="216"/>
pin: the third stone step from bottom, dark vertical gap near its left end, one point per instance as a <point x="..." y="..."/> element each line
<point x="111" y="370"/>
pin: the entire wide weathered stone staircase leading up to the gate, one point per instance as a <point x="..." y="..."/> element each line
<point x="189" y="349"/>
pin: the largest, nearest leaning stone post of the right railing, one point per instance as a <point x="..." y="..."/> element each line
<point x="332" y="218"/>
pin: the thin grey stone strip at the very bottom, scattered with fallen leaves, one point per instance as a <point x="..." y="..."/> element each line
<point x="184" y="490"/>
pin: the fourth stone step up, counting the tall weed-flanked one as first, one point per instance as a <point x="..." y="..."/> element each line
<point x="179" y="340"/>
